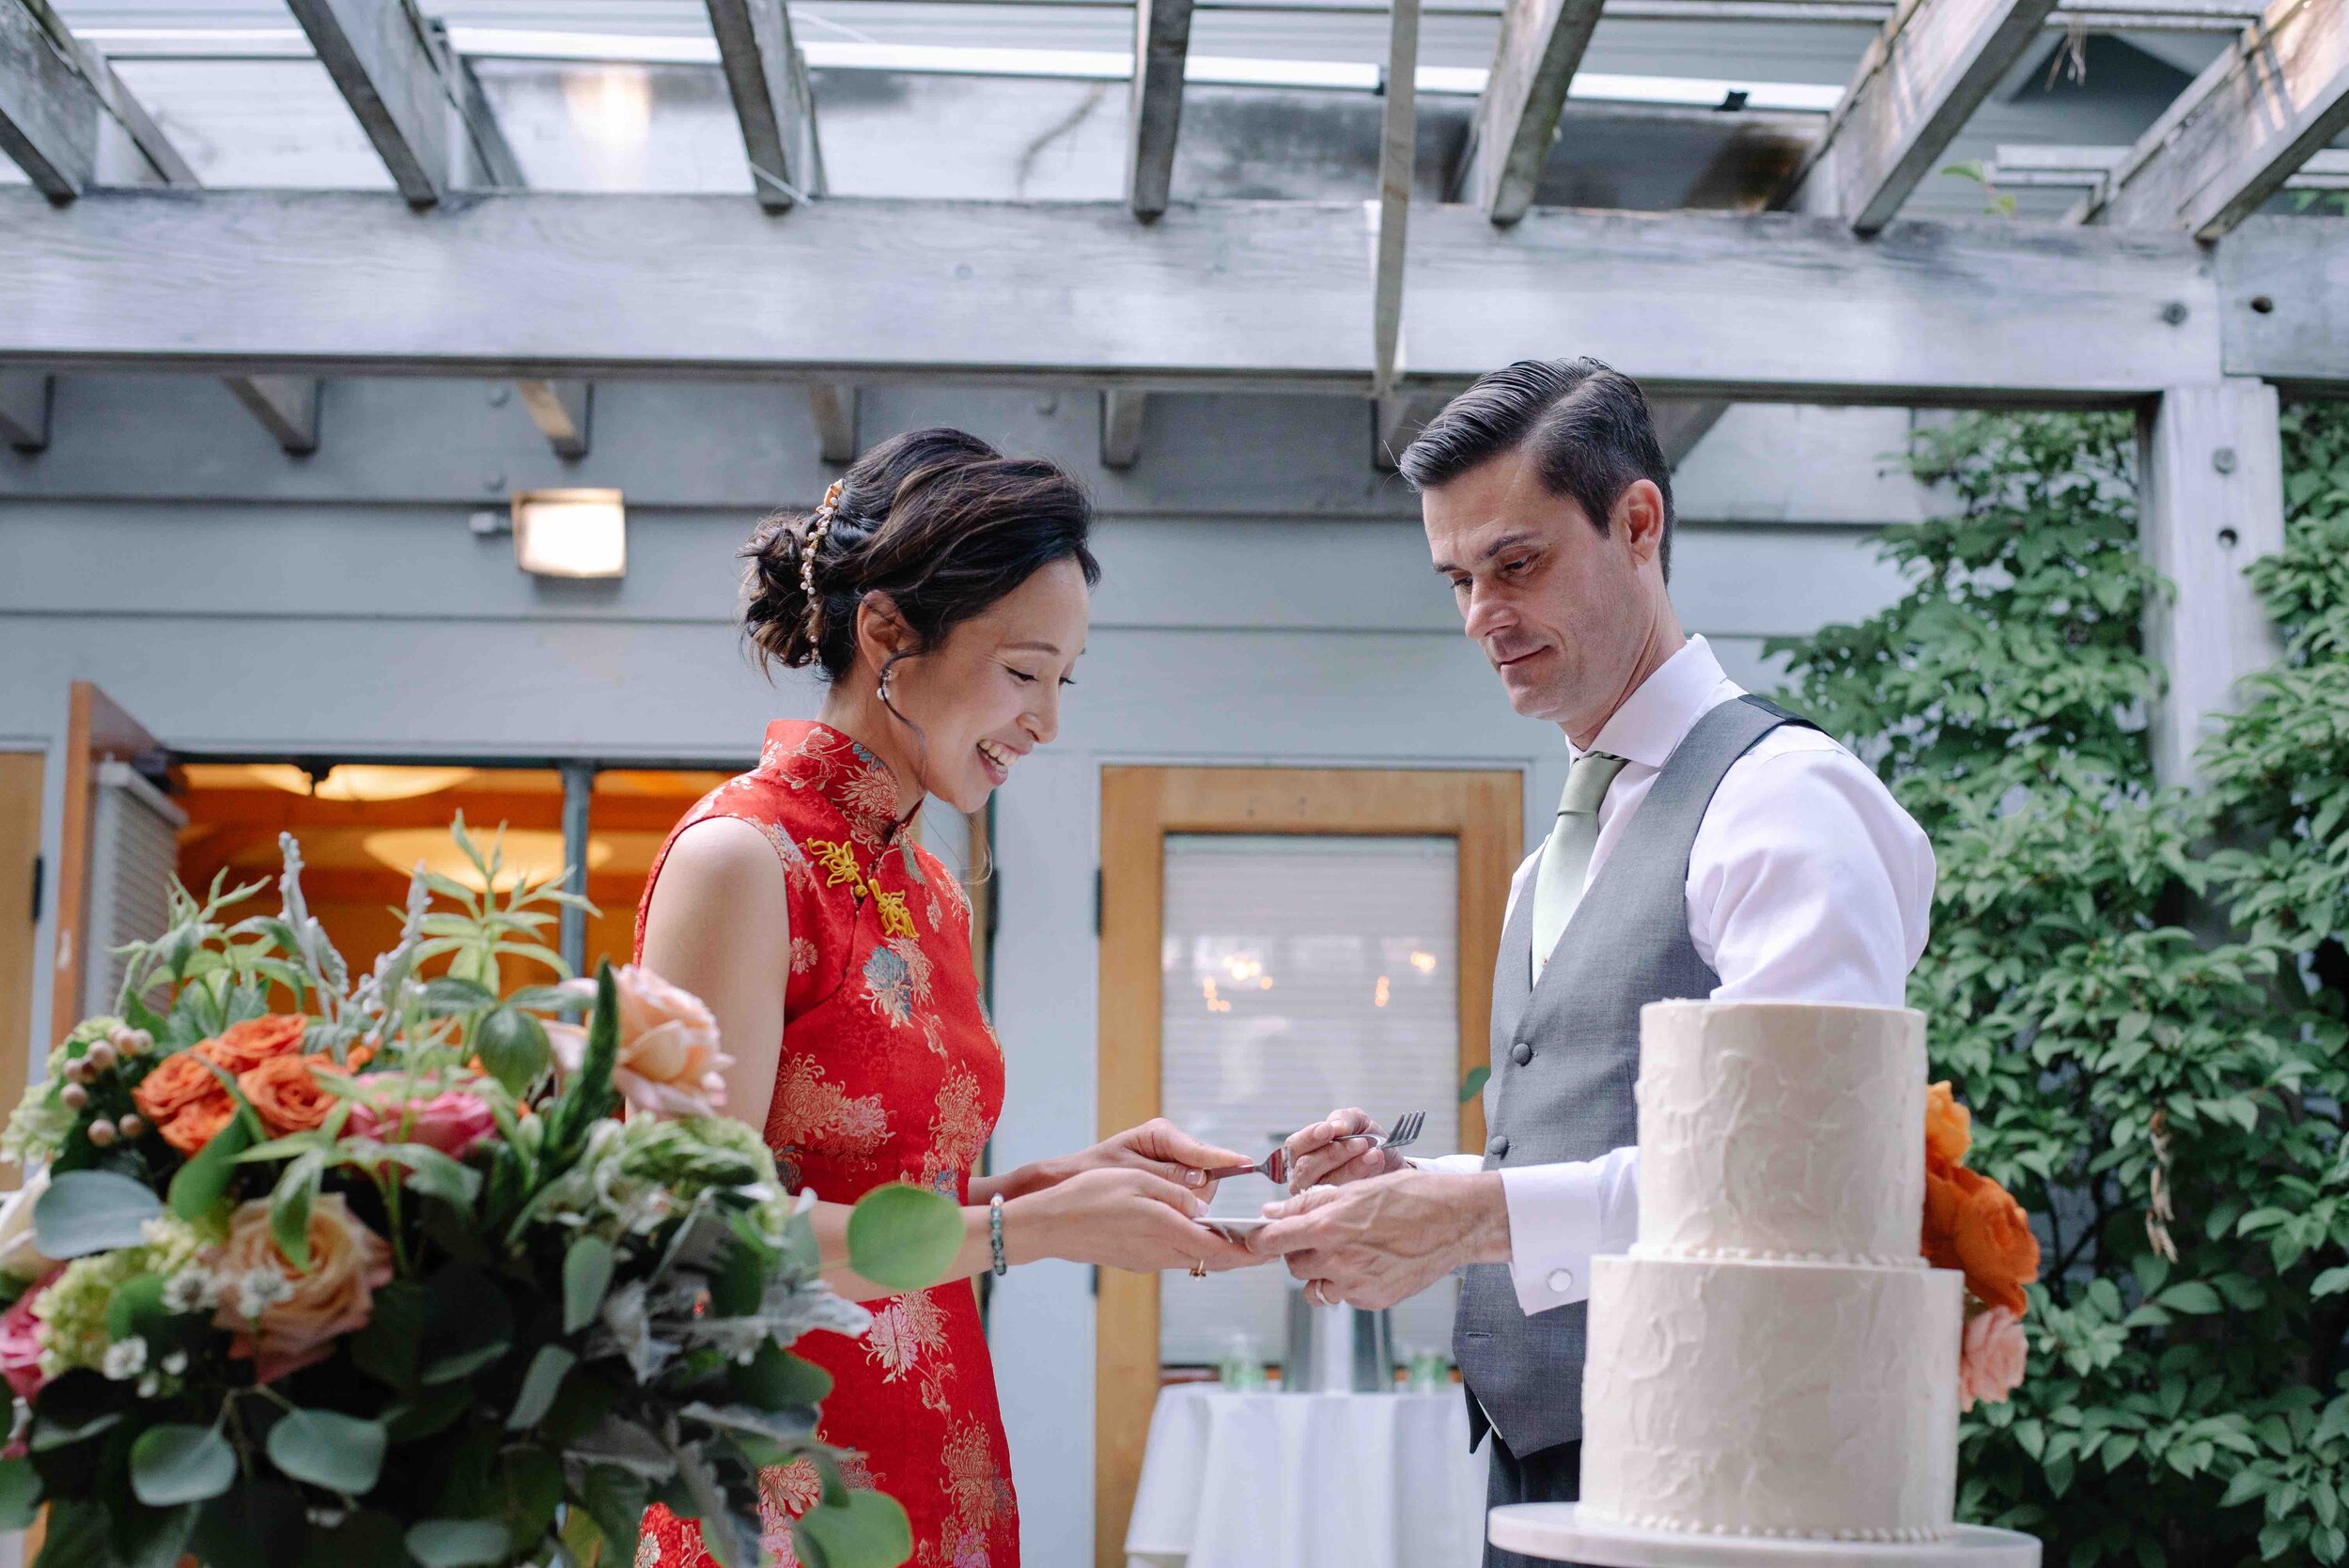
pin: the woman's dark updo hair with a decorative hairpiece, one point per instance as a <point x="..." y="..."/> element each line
<point x="938" y="520"/>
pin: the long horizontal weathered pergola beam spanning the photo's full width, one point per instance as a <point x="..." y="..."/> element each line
<point x="1265" y="297"/>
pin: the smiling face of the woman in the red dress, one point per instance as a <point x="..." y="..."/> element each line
<point x="990" y="691"/>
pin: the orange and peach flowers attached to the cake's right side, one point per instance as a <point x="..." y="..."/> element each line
<point x="1974" y="1226"/>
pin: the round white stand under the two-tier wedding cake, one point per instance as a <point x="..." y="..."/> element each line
<point x="1559" y="1532"/>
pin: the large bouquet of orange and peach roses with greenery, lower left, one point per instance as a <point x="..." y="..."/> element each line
<point x="314" y="1271"/>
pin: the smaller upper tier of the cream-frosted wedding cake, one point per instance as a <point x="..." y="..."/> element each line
<point x="1782" y="1130"/>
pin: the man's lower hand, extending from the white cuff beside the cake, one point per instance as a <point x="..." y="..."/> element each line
<point x="1373" y="1245"/>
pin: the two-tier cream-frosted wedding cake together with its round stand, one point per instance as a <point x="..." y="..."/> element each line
<point x="1775" y="1367"/>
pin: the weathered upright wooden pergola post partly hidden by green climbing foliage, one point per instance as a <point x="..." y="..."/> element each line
<point x="2214" y="503"/>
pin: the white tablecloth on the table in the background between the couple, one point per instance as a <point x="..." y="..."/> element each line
<point x="1307" y="1482"/>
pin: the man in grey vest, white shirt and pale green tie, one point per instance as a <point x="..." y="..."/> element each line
<point x="1709" y="844"/>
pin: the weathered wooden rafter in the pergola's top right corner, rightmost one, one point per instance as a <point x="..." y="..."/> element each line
<point x="2240" y="133"/>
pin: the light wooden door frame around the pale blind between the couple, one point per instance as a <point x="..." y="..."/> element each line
<point x="1483" y="811"/>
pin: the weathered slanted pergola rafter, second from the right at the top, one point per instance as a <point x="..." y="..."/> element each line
<point x="1913" y="93"/>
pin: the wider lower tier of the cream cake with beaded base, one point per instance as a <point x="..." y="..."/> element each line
<point x="1779" y="1400"/>
